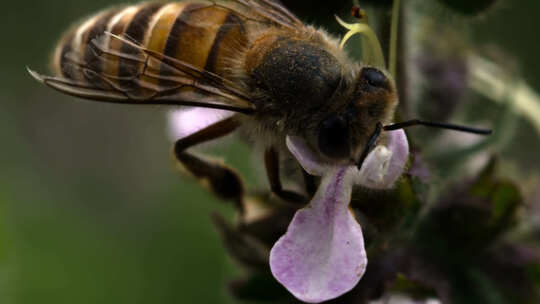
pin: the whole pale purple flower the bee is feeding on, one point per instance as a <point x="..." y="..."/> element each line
<point x="322" y="255"/>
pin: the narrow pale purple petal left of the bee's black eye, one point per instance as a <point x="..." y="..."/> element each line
<point x="305" y="156"/>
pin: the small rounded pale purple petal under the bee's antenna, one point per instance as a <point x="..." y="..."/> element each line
<point x="385" y="164"/>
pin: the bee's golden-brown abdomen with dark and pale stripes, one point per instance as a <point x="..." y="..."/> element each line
<point x="200" y="34"/>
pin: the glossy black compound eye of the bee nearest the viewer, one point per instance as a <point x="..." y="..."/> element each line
<point x="334" y="137"/>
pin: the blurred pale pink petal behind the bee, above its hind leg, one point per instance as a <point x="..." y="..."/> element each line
<point x="187" y="121"/>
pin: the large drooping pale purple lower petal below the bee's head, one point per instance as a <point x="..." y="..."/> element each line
<point x="322" y="254"/>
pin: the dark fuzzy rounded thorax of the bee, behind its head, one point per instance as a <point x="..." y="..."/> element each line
<point x="293" y="73"/>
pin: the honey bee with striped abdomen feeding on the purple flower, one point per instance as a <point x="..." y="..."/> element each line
<point x="253" y="58"/>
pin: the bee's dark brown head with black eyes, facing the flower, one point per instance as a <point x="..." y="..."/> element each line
<point x="343" y="135"/>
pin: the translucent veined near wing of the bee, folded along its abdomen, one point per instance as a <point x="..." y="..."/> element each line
<point x="149" y="78"/>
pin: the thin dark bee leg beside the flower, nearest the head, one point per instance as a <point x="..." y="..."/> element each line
<point x="271" y="161"/>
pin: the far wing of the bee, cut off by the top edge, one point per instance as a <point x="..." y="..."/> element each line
<point x="273" y="11"/>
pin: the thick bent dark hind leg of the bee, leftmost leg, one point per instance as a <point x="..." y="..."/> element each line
<point x="222" y="180"/>
